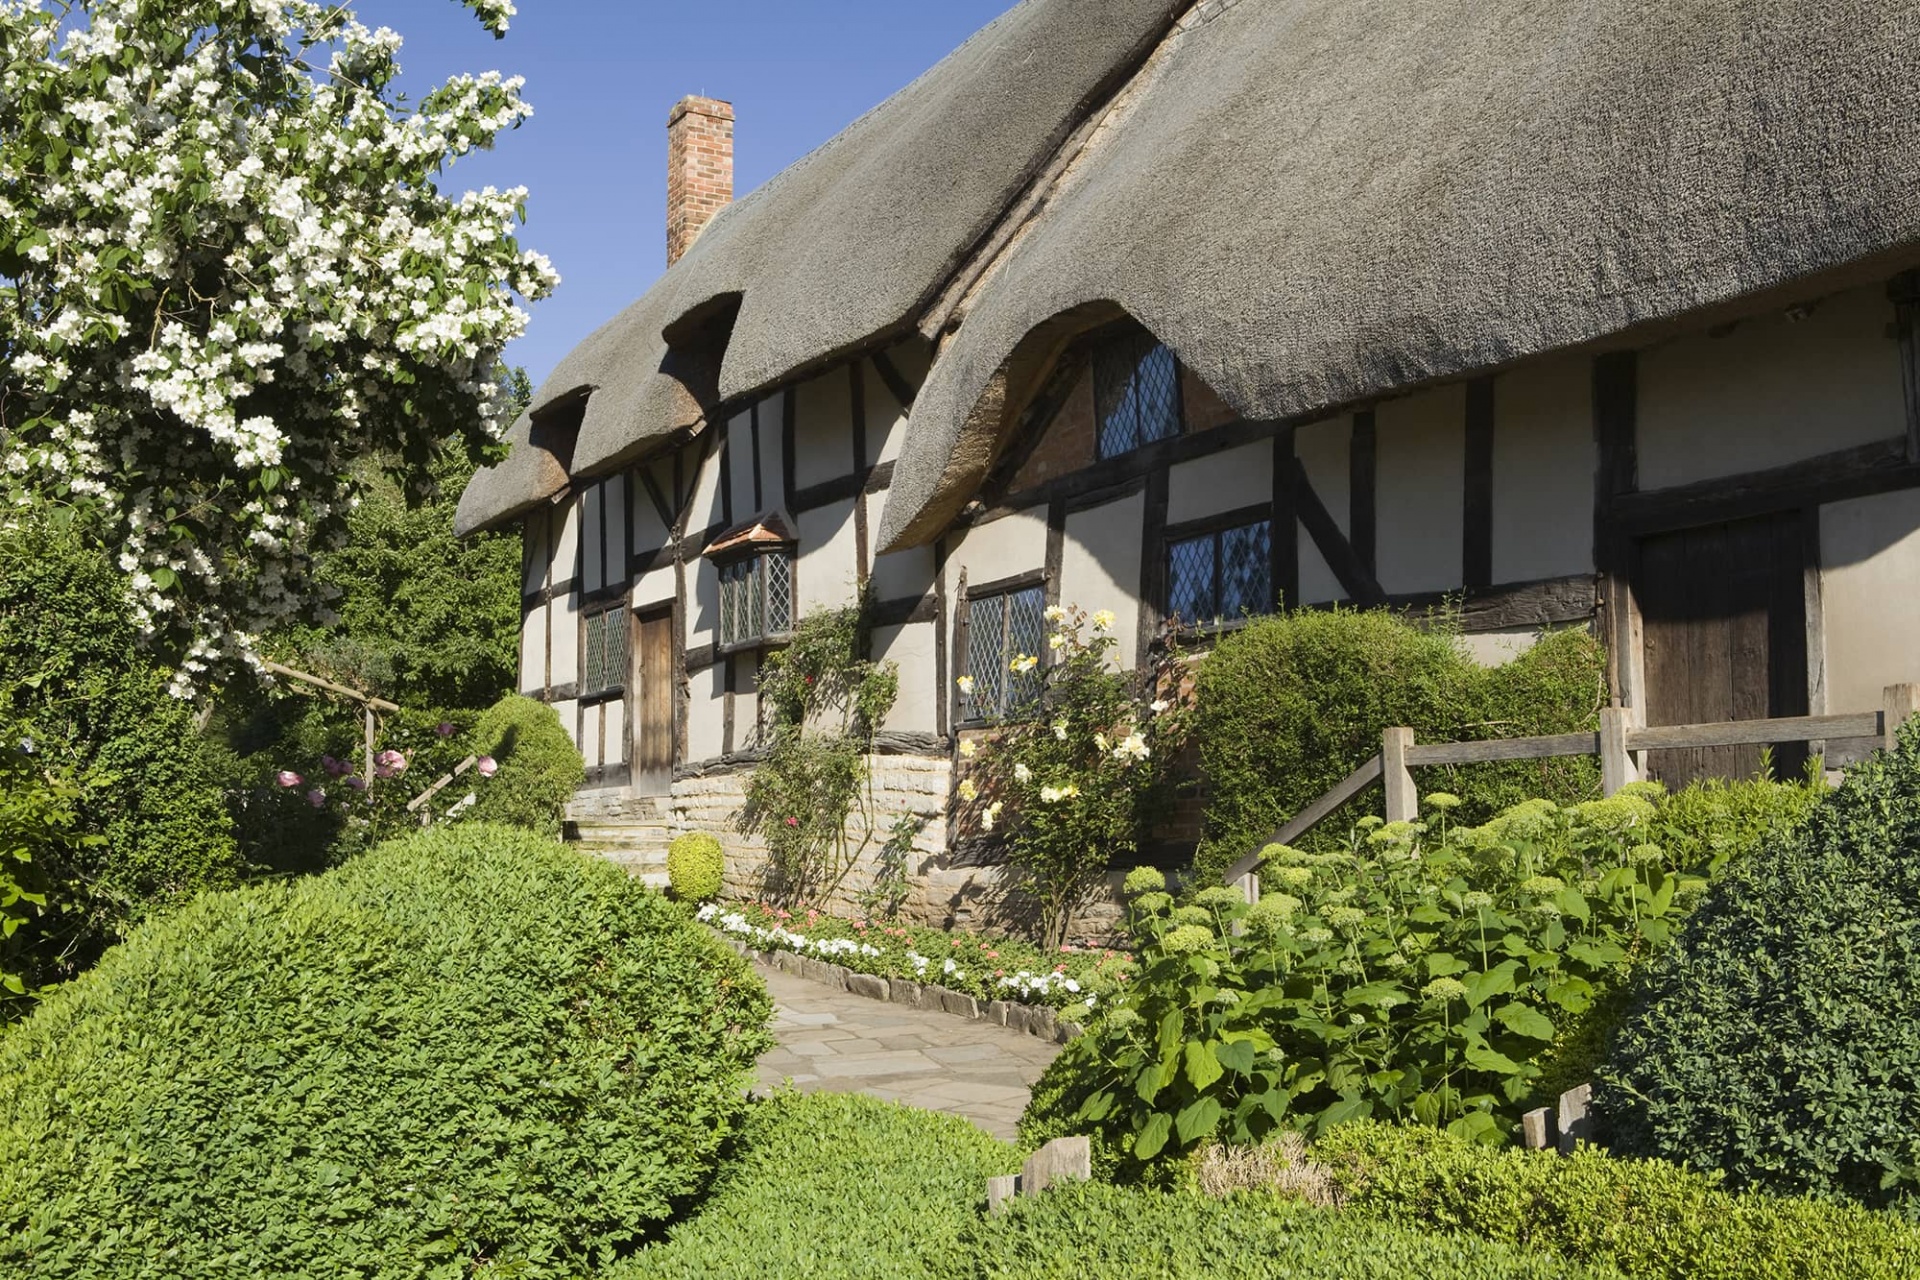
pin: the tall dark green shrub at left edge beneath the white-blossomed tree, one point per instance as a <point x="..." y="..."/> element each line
<point x="76" y="680"/>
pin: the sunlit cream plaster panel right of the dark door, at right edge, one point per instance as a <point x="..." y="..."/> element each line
<point x="1871" y="598"/>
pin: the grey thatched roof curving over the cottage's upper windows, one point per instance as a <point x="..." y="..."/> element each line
<point x="1310" y="201"/>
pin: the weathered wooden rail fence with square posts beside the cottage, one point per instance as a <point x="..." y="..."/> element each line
<point x="1621" y="744"/>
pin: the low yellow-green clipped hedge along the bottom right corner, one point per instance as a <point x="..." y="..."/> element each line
<point x="1648" y="1220"/>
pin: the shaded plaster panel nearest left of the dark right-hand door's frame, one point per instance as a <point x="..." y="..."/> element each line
<point x="1545" y="471"/>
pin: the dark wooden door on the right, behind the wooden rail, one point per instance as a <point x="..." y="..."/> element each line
<point x="1723" y="615"/>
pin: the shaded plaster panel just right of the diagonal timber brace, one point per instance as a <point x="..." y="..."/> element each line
<point x="1420" y="494"/>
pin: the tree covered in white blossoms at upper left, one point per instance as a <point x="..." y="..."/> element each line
<point x="228" y="272"/>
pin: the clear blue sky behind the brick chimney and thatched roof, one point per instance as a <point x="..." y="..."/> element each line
<point x="602" y="76"/>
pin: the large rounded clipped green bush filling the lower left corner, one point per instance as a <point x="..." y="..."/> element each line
<point x="469" y="1047"/>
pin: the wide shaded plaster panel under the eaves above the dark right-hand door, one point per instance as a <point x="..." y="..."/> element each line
<point x="1771" y="392"/>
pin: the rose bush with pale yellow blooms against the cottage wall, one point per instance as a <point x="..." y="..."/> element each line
<point x="1070" y="780"/>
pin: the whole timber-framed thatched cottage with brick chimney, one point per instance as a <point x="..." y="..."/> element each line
<point x="1596" y="312"/>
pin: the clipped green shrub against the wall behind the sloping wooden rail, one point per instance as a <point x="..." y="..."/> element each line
<point x="1291" y="705"/>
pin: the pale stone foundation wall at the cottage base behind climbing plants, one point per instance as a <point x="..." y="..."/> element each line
<point x="940" y="895"/>
